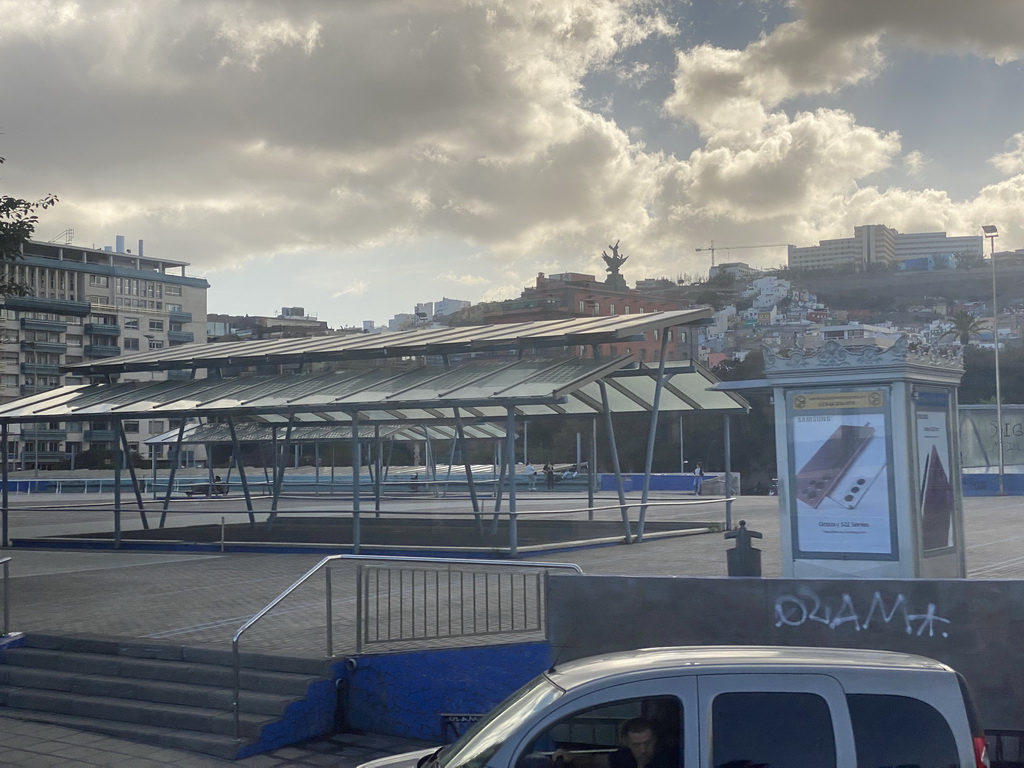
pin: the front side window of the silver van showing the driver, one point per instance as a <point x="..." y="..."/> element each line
<point x="629" y="734"/>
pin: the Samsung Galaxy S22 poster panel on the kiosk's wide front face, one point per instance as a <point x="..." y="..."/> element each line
<point x="841" y="500"/>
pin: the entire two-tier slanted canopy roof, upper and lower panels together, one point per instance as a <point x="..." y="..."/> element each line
<point x="412" y="382"/>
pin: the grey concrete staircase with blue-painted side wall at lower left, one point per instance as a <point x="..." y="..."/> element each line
<point x="167" y="696"/>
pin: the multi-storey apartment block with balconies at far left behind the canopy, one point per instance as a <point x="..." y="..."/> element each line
<point x="87" y="305"/>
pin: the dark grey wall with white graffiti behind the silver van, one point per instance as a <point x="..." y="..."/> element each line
<point x="974" y="626"/>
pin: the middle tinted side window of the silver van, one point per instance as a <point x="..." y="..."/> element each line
<point x="772" y="730"/>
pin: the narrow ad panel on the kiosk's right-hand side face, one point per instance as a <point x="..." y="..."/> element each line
<point x="937" y="500"/>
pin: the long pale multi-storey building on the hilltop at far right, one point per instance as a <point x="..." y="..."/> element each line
<point x="880" y="245"/>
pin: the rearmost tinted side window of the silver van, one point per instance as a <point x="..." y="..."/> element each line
<point x="900" y="731"/>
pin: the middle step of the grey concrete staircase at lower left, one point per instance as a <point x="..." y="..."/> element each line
<point x="148" y="691"/>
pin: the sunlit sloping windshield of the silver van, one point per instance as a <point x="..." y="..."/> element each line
<point x="480" y="744"/>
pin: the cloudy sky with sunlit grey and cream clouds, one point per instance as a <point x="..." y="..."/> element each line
<point x="355" y="157"/>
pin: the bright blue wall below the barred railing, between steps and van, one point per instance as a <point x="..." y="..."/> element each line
<point x="405" y="695"/>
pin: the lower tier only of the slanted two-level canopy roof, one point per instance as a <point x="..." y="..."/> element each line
<point x="482" y="392"/>
